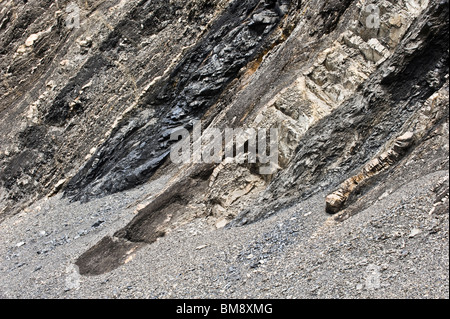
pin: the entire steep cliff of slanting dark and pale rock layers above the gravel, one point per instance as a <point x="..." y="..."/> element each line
<point x="358" y="91"/>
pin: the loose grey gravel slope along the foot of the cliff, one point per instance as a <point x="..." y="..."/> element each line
<point x="393" y="249"/>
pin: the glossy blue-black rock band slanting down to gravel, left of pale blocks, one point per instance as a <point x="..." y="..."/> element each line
<point x="212" y="64"/>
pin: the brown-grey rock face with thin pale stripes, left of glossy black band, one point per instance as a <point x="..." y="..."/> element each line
<point x="65" y="93"/>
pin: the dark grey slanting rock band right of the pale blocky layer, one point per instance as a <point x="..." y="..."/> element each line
<point x="386" y="103"/>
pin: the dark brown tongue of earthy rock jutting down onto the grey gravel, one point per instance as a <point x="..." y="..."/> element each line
<point x="151" y="223"/>
